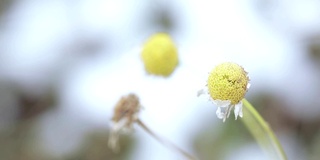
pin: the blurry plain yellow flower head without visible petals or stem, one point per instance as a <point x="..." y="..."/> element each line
<point x="159" y="55"/>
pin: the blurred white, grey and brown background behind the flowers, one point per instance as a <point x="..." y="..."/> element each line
<point x="64" y="64"/>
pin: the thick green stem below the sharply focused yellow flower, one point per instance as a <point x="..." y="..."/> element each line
<point x="262" y="132"/>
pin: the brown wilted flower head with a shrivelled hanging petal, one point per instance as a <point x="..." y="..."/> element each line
<point x="125" y="114"/>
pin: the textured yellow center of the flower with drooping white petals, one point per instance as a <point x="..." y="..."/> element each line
<point x="228" y="81"/>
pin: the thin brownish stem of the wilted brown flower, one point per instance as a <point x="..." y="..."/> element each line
<point x="164" y="141"/>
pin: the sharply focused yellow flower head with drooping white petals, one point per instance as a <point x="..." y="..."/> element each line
<point x="227" y="85"/>
